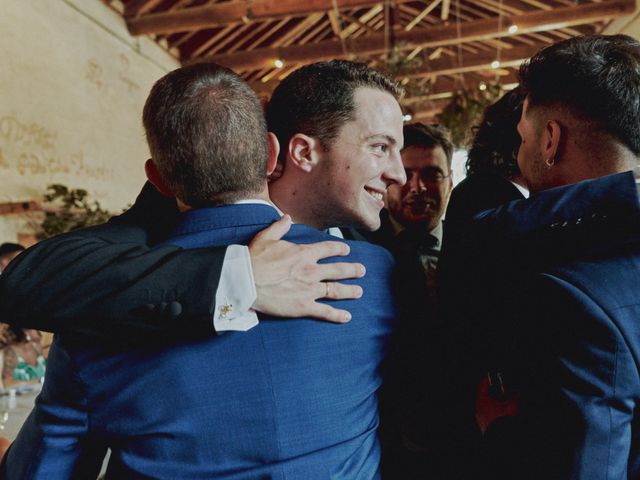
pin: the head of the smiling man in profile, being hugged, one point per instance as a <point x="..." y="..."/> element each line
<point x="340" y="130"/>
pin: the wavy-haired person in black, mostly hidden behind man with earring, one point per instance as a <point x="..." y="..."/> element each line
<point x="493" y="178"/>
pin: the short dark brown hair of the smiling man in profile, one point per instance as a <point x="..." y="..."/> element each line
<point x="318" y="99"/>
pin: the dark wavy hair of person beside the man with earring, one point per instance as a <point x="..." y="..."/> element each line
<point x="496" y="140"/>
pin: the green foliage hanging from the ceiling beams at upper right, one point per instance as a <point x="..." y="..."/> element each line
<point x="464" y="112"/>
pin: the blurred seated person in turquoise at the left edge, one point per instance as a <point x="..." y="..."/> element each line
<point x="22" y="356"/>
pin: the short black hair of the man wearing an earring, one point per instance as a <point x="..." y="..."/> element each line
<point x="596" y="78"/>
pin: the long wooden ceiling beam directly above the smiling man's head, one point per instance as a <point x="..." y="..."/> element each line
<point x="477" y="30"/>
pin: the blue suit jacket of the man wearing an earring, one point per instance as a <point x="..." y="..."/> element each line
<point x="551" y="299"/>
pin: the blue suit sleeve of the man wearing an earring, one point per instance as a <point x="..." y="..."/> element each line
<point x="577" y="407"/>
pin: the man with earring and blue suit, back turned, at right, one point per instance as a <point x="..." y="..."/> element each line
<point x="553" y="303"/>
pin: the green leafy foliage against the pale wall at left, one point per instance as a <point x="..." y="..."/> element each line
<point x="69" y="209"/>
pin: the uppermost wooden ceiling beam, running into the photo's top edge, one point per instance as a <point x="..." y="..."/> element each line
<point x="220" y="14"/>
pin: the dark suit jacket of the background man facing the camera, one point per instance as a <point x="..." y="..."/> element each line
<point x="412" y="446"/>
